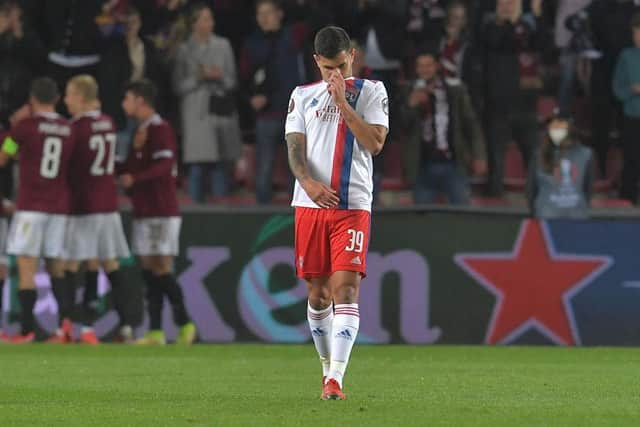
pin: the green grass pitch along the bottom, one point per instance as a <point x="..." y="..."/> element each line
<point x="263" y="385"/>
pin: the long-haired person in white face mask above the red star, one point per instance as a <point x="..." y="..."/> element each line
<point x="561" y="174"/>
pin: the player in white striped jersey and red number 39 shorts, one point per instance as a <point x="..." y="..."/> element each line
<point x="333" y="129"/>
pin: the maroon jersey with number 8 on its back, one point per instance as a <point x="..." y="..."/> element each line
<point x="45" y="143"/>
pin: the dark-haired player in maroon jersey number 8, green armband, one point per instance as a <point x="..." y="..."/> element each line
<point x="44" y="143"/>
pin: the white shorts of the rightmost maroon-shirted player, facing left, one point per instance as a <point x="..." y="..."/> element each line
<point x="156" y="236"/>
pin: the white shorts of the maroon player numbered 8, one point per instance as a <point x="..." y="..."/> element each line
<point x="37" y="234"/>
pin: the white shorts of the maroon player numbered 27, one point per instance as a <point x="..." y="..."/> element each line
<point x="96" y="236"/>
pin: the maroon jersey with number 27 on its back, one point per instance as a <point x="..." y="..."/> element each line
<point x="93" y="185"/>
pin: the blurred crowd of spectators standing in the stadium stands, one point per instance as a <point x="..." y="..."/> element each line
<point x="471" y="84"/>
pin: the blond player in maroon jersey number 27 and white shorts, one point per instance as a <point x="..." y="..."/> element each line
<point x="95" y="228"/>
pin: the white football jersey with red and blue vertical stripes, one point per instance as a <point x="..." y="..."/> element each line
<point x="334" y="156"/>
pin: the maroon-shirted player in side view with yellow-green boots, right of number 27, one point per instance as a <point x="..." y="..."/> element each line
<point x="150" y="176"/>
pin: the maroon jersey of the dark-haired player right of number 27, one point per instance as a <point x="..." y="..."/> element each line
<point x="153" y="167"/>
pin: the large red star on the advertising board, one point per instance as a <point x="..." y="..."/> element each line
<point x="533" y="286"/>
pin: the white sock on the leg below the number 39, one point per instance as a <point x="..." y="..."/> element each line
<point x="346" y="322"/>
